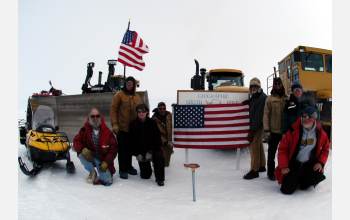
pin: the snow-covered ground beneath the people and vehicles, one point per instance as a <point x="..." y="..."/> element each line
<point x="222" y="193"/>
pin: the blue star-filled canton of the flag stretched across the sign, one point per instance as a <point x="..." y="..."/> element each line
<point x="189" y="116"/>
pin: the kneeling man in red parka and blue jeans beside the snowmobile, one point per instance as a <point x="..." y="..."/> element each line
<point x="96" y="147"/>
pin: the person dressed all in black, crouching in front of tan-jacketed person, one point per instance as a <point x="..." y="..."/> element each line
<point x="146" y="145"/>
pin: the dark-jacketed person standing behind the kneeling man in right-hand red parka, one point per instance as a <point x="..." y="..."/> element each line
<point x="293" y="106"/>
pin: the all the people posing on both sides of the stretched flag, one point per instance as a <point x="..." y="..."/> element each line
<point x="290" y="124"/>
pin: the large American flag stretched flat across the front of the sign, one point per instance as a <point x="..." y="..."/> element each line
<point x="215" y="126"/>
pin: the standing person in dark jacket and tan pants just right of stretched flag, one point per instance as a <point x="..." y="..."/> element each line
<point x="256" y="111"/>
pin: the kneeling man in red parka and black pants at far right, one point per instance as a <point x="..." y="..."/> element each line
<point x="302" y="153"/>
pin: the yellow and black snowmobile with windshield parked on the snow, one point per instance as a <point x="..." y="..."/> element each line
<point x="43" y="142"/>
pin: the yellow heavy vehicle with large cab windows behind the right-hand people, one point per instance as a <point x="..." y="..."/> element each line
<point x="312" y="67"/>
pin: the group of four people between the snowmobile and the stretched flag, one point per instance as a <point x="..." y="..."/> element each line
<point x="133" y="133"/>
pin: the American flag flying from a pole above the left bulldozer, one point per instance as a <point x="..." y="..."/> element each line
<point x="131" y="50"/>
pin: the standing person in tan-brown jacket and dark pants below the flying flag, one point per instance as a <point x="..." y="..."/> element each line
<point x="122" y="113"/>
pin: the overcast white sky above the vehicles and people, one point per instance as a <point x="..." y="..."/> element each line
<point x="58" y="38"/>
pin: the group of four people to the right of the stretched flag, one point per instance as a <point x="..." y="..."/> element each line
<point x="291" y="126"/>
